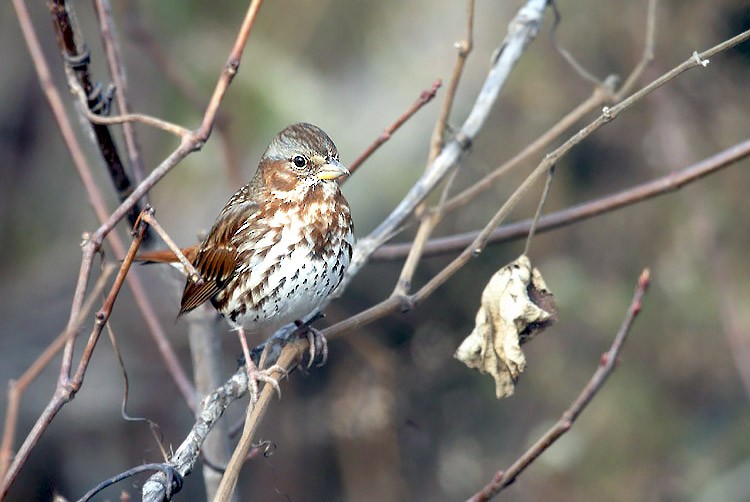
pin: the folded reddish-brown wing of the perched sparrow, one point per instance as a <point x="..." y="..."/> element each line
<point x="216" y="261"/>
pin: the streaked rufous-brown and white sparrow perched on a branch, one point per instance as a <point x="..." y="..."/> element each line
<point x="279" y="247"/>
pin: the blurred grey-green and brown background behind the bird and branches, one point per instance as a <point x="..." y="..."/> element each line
<point x="392" y="416"/>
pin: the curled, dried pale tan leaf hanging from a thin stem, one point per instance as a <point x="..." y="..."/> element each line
<point x="516" y="306"/>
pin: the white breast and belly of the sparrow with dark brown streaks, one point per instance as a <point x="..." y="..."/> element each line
<point x="297" y="259"/>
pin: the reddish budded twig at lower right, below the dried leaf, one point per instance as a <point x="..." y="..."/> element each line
<point x="607" y="365"/>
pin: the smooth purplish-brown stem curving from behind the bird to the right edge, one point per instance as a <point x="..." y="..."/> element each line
<point x="660" y="186"/>
